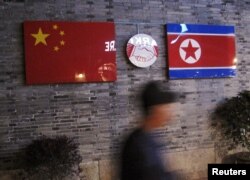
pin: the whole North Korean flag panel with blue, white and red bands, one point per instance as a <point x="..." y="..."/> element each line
<point x="201" y="51"/>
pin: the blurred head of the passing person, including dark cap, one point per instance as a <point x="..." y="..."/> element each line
<point x="157" y="103"/>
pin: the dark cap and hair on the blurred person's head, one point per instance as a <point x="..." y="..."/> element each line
<point x="152" y="94"/>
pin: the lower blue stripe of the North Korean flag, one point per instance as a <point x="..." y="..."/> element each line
<point x="201" y="73"/>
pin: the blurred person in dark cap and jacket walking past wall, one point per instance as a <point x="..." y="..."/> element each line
<point x="141" y="158"/>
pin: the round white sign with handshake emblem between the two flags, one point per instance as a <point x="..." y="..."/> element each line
<point x="142" y="50"/>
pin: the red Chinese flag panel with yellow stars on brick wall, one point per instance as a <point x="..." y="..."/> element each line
<point x="69" y="52"/>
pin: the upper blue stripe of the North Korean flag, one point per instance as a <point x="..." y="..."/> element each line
<point x="200" y="28"/>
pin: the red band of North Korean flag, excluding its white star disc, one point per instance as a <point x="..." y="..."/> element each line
<point x="216" y="51"/>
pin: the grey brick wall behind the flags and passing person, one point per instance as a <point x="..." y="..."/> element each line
<point x="99" y="115"/>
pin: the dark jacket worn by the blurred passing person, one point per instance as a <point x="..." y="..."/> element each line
<point x="141" y="159"/>
